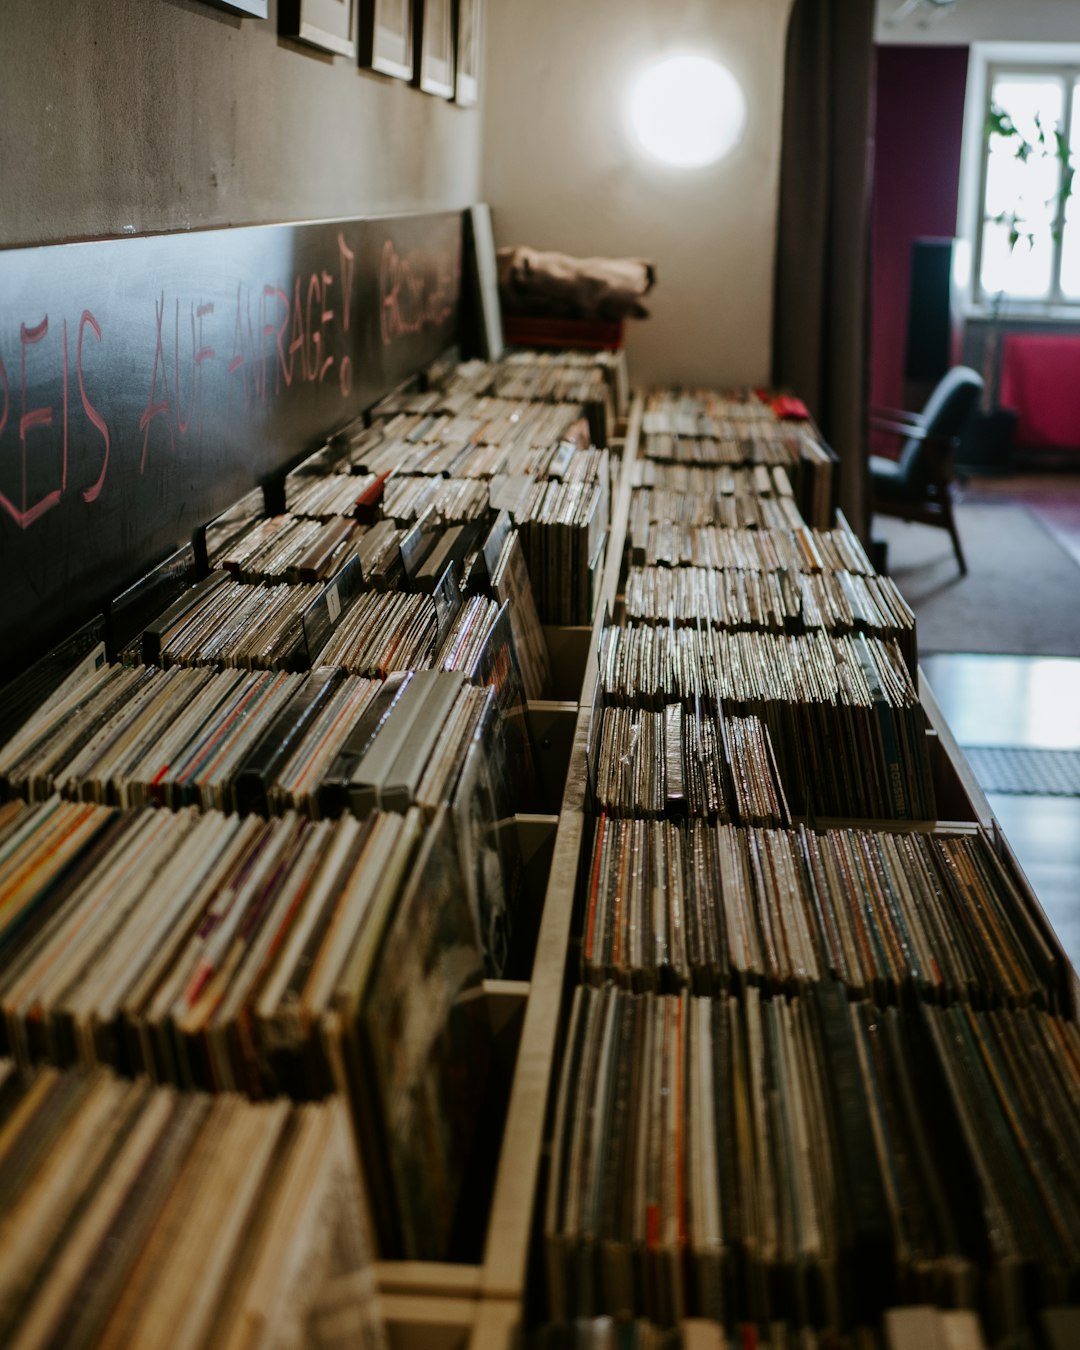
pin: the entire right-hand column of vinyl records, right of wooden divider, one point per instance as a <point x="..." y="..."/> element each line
<point x="809" y="1073"/>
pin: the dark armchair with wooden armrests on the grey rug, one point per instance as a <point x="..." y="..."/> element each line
<point x="919" y="485"/>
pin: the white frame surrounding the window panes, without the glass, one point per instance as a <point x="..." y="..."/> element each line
<point x="988" y="63"/>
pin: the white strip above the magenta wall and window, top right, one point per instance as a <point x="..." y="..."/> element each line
<point x="985" y="21"/>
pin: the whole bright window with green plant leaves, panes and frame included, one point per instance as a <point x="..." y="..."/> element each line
<point x="1023" y="140"/>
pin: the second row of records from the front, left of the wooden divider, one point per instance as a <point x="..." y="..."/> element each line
<point x="287" y="956"/>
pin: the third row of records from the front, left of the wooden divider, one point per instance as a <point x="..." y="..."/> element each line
<point x="319" y="743"/>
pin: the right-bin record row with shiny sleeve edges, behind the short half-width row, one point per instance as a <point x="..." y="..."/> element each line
<point x="844" y="720"/>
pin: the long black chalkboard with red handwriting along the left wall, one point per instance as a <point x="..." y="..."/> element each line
<point x="149" y="383"/>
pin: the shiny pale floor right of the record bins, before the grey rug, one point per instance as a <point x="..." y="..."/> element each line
<point x="1019" y="722"/>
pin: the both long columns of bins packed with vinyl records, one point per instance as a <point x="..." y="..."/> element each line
<point x="778" y="1023"/>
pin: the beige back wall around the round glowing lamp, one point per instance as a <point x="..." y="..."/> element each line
<point x="561" y="173"/>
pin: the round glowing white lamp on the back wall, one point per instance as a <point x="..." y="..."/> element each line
<point x="688" y="111"/>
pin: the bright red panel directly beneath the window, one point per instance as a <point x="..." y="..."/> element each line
<point x="1042" y="381"/>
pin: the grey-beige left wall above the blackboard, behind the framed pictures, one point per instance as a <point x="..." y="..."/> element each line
<point x="168" y="114"/>
